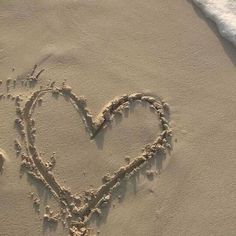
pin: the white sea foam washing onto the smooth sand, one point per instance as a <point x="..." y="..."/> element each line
<point x="223" y="13"/>
